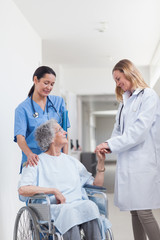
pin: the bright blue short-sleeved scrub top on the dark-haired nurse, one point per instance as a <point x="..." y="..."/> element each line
<point x="25" y="124"/>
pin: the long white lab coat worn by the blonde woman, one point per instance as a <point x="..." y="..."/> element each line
<point x="136" y="140"/>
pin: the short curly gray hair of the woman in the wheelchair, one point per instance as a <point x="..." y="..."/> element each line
<point x="45" y="133"/>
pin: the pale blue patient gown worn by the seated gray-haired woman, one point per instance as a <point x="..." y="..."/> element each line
<point x="68" y="175"/>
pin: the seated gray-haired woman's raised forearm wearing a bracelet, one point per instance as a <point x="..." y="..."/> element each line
<point x="99" y="178"/>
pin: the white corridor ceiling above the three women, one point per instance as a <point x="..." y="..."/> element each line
<point x="95" y="33"/>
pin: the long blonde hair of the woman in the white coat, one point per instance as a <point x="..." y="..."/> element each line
<point x="131" y="74"/>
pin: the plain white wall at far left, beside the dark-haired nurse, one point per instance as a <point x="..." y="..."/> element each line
<point x="20" y="54"/>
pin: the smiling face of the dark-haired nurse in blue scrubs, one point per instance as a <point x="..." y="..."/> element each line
<point x="44" y="85"/>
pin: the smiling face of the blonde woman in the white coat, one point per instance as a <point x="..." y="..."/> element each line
<point x="121" y="81"/>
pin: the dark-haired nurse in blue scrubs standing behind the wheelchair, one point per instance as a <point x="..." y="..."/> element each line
<point x="36" y="109"/>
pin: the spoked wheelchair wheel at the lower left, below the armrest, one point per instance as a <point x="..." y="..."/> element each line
<point x="26" y="225"/>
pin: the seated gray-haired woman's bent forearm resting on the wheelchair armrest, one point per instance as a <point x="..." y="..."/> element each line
<point x="28" y="191"/>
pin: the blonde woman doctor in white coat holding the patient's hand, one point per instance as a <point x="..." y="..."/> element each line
<point x="136" y="141"/>
